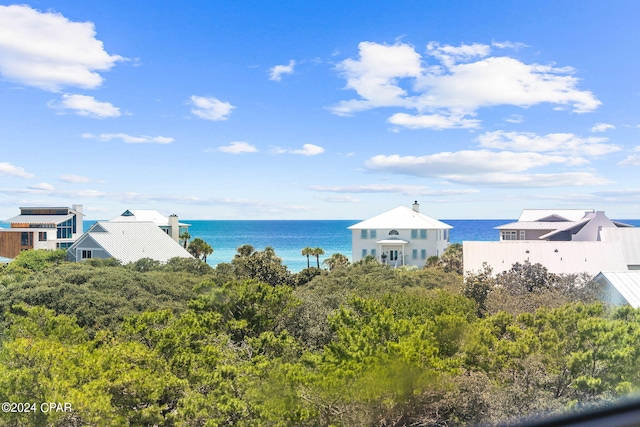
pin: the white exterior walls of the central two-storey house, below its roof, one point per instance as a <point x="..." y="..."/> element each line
<point x="432" y="245"/>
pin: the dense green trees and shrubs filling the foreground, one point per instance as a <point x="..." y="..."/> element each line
<point x="249" y="343"/>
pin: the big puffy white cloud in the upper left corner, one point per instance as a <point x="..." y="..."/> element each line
<point x="47" y="51"/>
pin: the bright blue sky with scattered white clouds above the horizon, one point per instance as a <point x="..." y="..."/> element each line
<point x="320" y="110"/>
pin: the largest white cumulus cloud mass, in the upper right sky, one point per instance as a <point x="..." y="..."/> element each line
<point x="444" y="95"/>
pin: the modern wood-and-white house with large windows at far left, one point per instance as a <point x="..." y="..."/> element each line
<point x="41" y="228"/>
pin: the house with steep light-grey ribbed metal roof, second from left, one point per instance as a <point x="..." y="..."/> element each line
<point x="127" y="242"/>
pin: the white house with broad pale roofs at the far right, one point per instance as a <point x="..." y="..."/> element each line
<point x="569" y="241"/>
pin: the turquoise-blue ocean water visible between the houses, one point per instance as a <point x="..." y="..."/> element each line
<point x="288" y="238"/>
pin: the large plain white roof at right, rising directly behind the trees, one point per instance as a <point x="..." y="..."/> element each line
<point x="570" y="257"/>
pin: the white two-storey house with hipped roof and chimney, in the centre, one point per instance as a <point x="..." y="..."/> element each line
<point x="400" y="236"/>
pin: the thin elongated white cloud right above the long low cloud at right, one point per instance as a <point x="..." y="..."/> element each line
<point x="555" y="143"/>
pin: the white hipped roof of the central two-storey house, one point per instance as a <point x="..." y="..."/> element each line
<point x="402" y="218"/>
